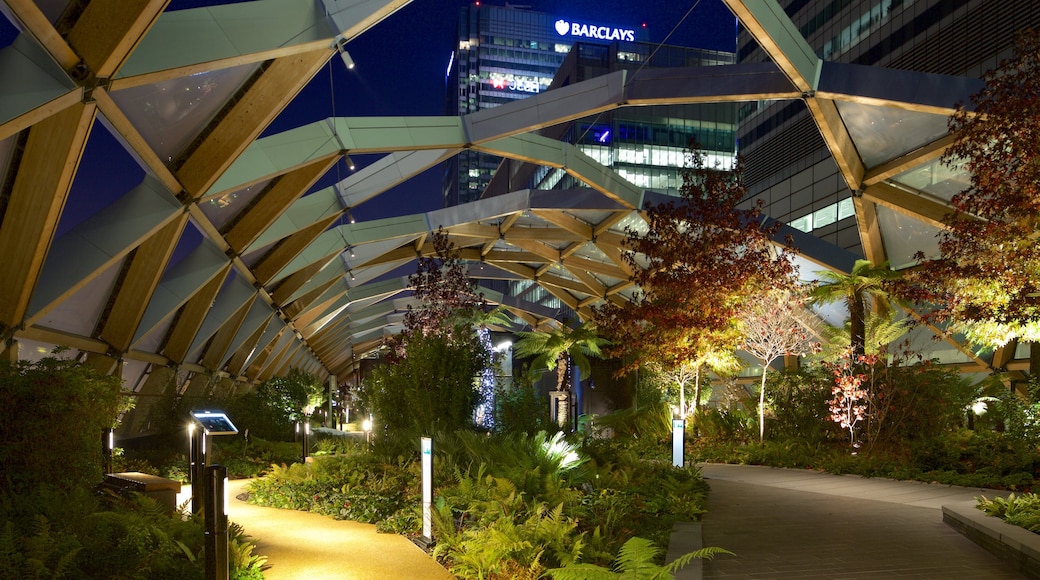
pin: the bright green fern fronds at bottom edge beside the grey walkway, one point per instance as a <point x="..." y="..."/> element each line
<point x="635" y="562"/>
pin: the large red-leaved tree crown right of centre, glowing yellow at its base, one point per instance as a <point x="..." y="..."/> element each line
<point x="698" y="259"/>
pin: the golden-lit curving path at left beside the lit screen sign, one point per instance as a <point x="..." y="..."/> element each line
<point x="302" y="545"/>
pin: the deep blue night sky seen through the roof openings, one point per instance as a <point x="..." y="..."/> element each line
<point x="401" y="71"/>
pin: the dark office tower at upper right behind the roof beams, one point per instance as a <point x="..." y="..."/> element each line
<point x="788" y="164"/>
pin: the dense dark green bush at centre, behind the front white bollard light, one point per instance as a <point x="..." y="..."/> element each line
<point x="430" y="388"/>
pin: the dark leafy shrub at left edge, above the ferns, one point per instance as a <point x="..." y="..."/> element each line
<point x="51" y="432"/>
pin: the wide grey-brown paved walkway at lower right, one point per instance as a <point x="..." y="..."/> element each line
<point x="802" y="524"/>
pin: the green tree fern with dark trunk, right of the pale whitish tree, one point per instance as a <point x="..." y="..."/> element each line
<point x="857" y="289"/>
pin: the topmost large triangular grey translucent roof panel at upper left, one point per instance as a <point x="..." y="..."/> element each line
<point x="170" y="114"/>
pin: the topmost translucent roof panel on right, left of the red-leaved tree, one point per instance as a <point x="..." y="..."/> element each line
<point x="883" y="134"/>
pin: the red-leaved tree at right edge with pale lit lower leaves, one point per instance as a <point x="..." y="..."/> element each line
<point x="987" y="278"/>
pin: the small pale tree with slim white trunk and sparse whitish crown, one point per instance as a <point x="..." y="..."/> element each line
<point x="773" y="328"/>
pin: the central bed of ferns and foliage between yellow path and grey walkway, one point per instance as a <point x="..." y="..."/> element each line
<point x="508" y="506"/>
